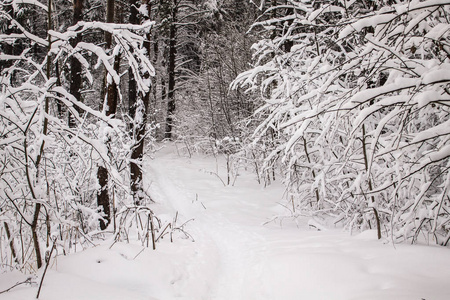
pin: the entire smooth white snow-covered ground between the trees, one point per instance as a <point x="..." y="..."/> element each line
<point x="235" y="256"/>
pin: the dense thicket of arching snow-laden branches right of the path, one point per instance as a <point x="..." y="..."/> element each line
<point x="357" y="112"/>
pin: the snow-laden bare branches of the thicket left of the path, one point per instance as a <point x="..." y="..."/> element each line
<point x="51" y="142"/>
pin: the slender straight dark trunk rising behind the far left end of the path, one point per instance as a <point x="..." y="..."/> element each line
<point x="171" y="71"/>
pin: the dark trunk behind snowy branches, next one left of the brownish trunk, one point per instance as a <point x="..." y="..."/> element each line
<point x="75" y="65"/>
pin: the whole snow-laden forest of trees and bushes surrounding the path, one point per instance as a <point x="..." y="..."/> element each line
<point x="353" y="101"/>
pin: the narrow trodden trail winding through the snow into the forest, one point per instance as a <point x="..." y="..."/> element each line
<point x="239" y="246"/>
